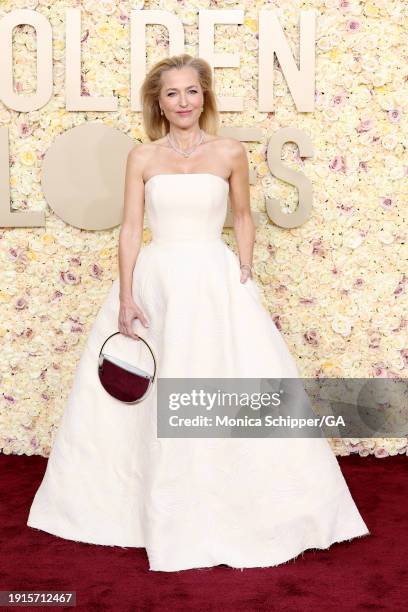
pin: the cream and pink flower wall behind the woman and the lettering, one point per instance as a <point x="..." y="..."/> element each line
<point x="336" y="287"/>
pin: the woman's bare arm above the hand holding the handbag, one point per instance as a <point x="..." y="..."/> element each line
<point x="131" y="231"/>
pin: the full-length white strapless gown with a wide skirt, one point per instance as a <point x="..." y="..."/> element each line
<point x="191" y="502"/>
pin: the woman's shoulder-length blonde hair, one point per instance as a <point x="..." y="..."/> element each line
<point x="157" y="125"/>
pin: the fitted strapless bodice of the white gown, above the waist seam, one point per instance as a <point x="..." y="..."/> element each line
<point x="186" y="207"/>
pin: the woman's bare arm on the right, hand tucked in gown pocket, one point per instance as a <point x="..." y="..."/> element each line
<point x="244" y="227"/>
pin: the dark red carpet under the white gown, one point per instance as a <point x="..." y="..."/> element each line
<point x="369" y="573"/>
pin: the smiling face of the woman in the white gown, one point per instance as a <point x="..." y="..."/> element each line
<point x="181" y="91"/>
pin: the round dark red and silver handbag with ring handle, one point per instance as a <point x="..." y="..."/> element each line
<point x="122" y="380"/>
